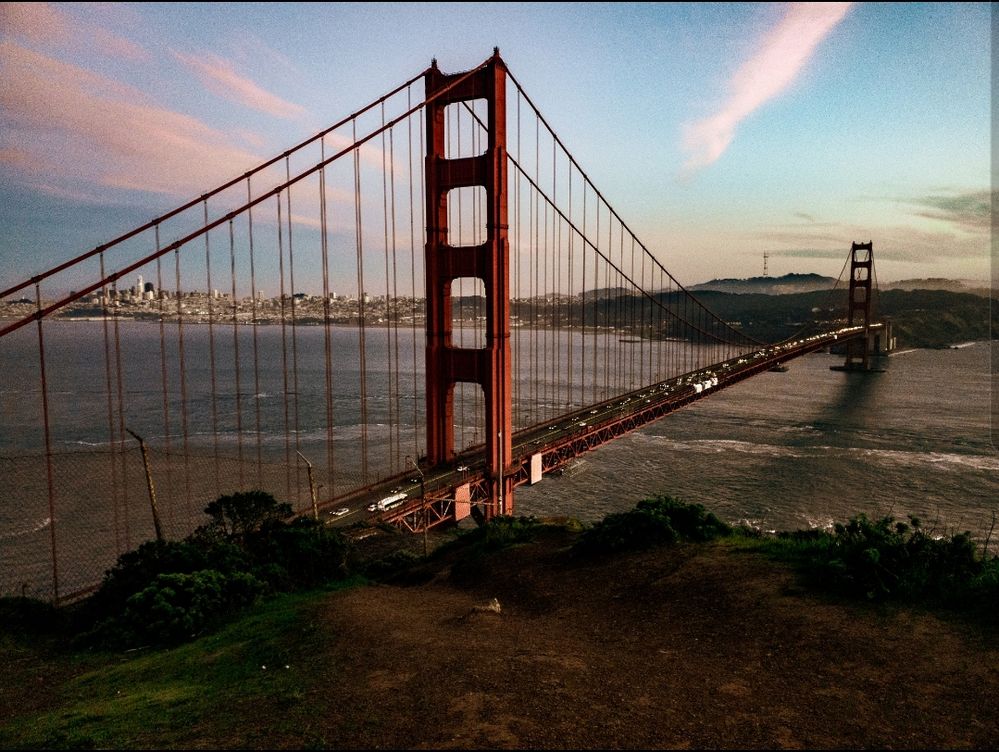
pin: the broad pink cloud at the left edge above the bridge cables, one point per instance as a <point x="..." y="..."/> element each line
<point x="65" y="128"/>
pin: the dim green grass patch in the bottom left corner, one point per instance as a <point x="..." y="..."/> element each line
<point x="208" y="693"/>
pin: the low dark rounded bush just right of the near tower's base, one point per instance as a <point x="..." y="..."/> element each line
<point x="659" y="521"/>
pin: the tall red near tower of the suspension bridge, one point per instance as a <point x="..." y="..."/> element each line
<point x="446" y="364"/>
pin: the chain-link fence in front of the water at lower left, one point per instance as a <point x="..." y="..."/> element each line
<point x="66" y="518"/>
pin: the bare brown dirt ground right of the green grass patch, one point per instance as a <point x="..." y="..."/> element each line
<point x="702" y="646"/>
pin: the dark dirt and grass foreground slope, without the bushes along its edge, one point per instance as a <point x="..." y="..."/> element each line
<point x="696" y="646"/>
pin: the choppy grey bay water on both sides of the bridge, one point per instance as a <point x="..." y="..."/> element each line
<point x="780" y="451"/>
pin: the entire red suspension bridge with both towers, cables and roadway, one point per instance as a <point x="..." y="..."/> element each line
<point x="496" y="318"/>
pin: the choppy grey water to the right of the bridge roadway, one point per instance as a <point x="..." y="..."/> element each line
<point x="811" y="446"/>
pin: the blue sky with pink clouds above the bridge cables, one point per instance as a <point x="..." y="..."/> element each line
<point x="719" y="132"/>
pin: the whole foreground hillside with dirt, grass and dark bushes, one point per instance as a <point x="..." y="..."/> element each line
<point x="656" y="628"/>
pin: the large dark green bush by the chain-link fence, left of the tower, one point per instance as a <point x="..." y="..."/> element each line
<point x="165" y="591"/>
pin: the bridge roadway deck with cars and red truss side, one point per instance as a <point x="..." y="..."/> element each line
<point x="561" y="440"/>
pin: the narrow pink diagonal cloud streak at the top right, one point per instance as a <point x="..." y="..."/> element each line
<point x="783" y="54"/>
